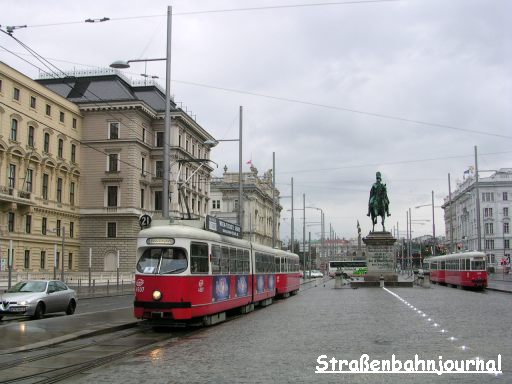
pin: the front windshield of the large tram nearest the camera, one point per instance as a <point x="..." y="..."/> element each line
<point x="160" y="261"/>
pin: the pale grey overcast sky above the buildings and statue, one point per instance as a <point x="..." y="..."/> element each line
<point x="338" y="90"/>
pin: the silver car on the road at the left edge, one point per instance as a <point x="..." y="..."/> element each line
<point x="37" y="297"/>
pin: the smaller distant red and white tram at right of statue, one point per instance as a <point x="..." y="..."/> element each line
<point x="467" y="269"/>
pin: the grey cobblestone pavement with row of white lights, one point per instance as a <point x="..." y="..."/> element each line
<point x="281" y="343"/>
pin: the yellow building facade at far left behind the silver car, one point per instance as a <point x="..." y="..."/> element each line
<point x="40" y="176"/>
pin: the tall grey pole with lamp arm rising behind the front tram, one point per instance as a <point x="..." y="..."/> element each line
<point x="167" y="131"/>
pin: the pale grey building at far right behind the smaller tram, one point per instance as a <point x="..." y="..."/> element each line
<point x="460" y="215"/>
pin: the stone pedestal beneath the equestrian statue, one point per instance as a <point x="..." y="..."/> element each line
<point x="379" y="256"/>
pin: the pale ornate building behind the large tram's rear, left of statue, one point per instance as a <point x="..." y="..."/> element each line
<point x="258" y="207"/>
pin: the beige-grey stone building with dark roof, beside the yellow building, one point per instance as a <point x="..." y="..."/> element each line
<point x="122" y="152"/>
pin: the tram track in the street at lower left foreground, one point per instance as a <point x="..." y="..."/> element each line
<point x="66" y="360"/>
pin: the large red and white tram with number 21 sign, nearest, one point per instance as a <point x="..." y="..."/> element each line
<point x="190" y="275"/>
